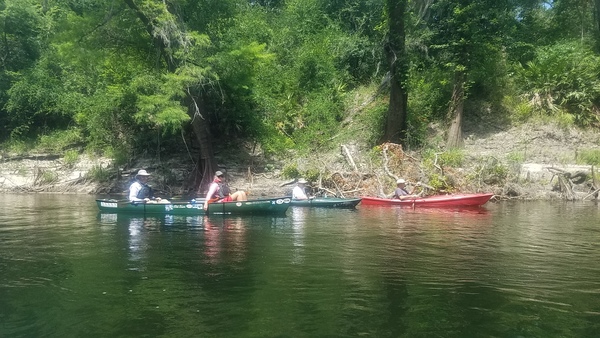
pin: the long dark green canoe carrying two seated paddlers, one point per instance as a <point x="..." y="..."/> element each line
<point x="195" y="207"/>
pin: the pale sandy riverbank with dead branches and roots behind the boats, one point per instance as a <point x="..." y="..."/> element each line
<point x="522" y="162"/>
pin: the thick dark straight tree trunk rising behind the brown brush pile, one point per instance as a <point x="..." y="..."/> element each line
<point x="396" y="121"/>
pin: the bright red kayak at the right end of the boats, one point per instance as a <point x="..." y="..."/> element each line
<point x="438" y="201"/>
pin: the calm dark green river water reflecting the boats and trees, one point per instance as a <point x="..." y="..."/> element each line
<point x="522" y="269"/>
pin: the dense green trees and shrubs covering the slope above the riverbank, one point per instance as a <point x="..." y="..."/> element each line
<point x="90" y="74"/>
